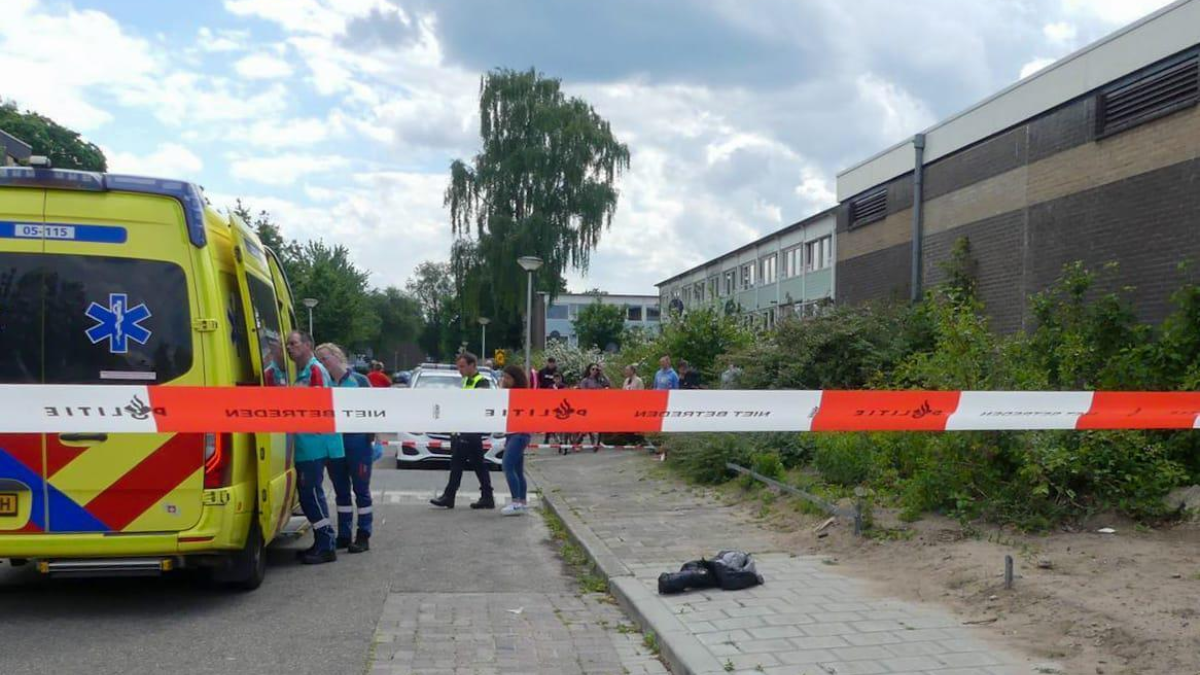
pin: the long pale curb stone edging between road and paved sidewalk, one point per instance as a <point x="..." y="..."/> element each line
<point x="683" y="653"/>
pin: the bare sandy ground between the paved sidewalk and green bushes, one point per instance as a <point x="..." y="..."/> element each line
<point x="1121" y="604"/>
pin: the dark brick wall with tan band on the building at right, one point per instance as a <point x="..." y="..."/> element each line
<point x="1036" y="198"/>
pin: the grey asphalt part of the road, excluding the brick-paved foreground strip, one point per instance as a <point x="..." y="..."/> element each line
<point x="317" y="620"/>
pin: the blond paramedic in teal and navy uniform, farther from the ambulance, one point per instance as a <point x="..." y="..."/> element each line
<point x="351" y="474"/>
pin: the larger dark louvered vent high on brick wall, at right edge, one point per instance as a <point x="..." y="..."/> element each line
<point x="1151" y="94"/>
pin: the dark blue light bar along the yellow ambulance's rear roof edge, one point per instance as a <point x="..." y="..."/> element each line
<point x="187" y="194"/>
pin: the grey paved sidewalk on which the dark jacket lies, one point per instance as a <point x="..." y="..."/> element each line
<point x="807" y="619"/>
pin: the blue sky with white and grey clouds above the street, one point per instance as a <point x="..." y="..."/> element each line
<point x="341" y="117"/>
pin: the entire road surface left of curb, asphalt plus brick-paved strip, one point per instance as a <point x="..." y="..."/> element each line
<point x="433" y="598"/>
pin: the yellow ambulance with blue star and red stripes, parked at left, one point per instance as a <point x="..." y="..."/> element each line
<point x="125" y="280"/>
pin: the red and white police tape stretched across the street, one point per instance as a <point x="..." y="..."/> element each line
<point x="166" y="409"/>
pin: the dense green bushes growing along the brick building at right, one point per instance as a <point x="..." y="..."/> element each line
<point x="1084" y="336"/>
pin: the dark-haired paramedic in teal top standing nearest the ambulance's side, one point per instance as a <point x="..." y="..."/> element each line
<point x="313" y="451"/>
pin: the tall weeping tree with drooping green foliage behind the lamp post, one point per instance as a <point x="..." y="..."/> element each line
<point x="542" y="186"/>
